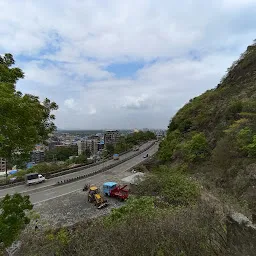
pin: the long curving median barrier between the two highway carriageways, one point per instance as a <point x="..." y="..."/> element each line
<point x="65" y="181"/>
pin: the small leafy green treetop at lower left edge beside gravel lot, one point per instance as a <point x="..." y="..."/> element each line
<point x="13" y="217"/>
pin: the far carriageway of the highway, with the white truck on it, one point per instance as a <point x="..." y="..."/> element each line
<point x="52" y="181"/>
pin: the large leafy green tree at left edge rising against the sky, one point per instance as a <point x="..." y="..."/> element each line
<point x="25" y="120"/>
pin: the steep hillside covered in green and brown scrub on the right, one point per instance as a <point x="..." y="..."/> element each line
<point x="215" y="133"/>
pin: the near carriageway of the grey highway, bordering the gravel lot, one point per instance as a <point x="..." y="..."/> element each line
<point x="114" y="174"/>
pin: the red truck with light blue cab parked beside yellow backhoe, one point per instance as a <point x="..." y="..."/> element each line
<point x="112" y="189"/>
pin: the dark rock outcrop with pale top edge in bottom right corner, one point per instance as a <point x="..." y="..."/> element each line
<point x="241" y="235"/>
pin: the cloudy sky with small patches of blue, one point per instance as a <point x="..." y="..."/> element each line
<point x="123" y="63"/>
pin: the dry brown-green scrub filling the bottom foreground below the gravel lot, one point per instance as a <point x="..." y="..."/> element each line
<point x="194" y="231"/>
